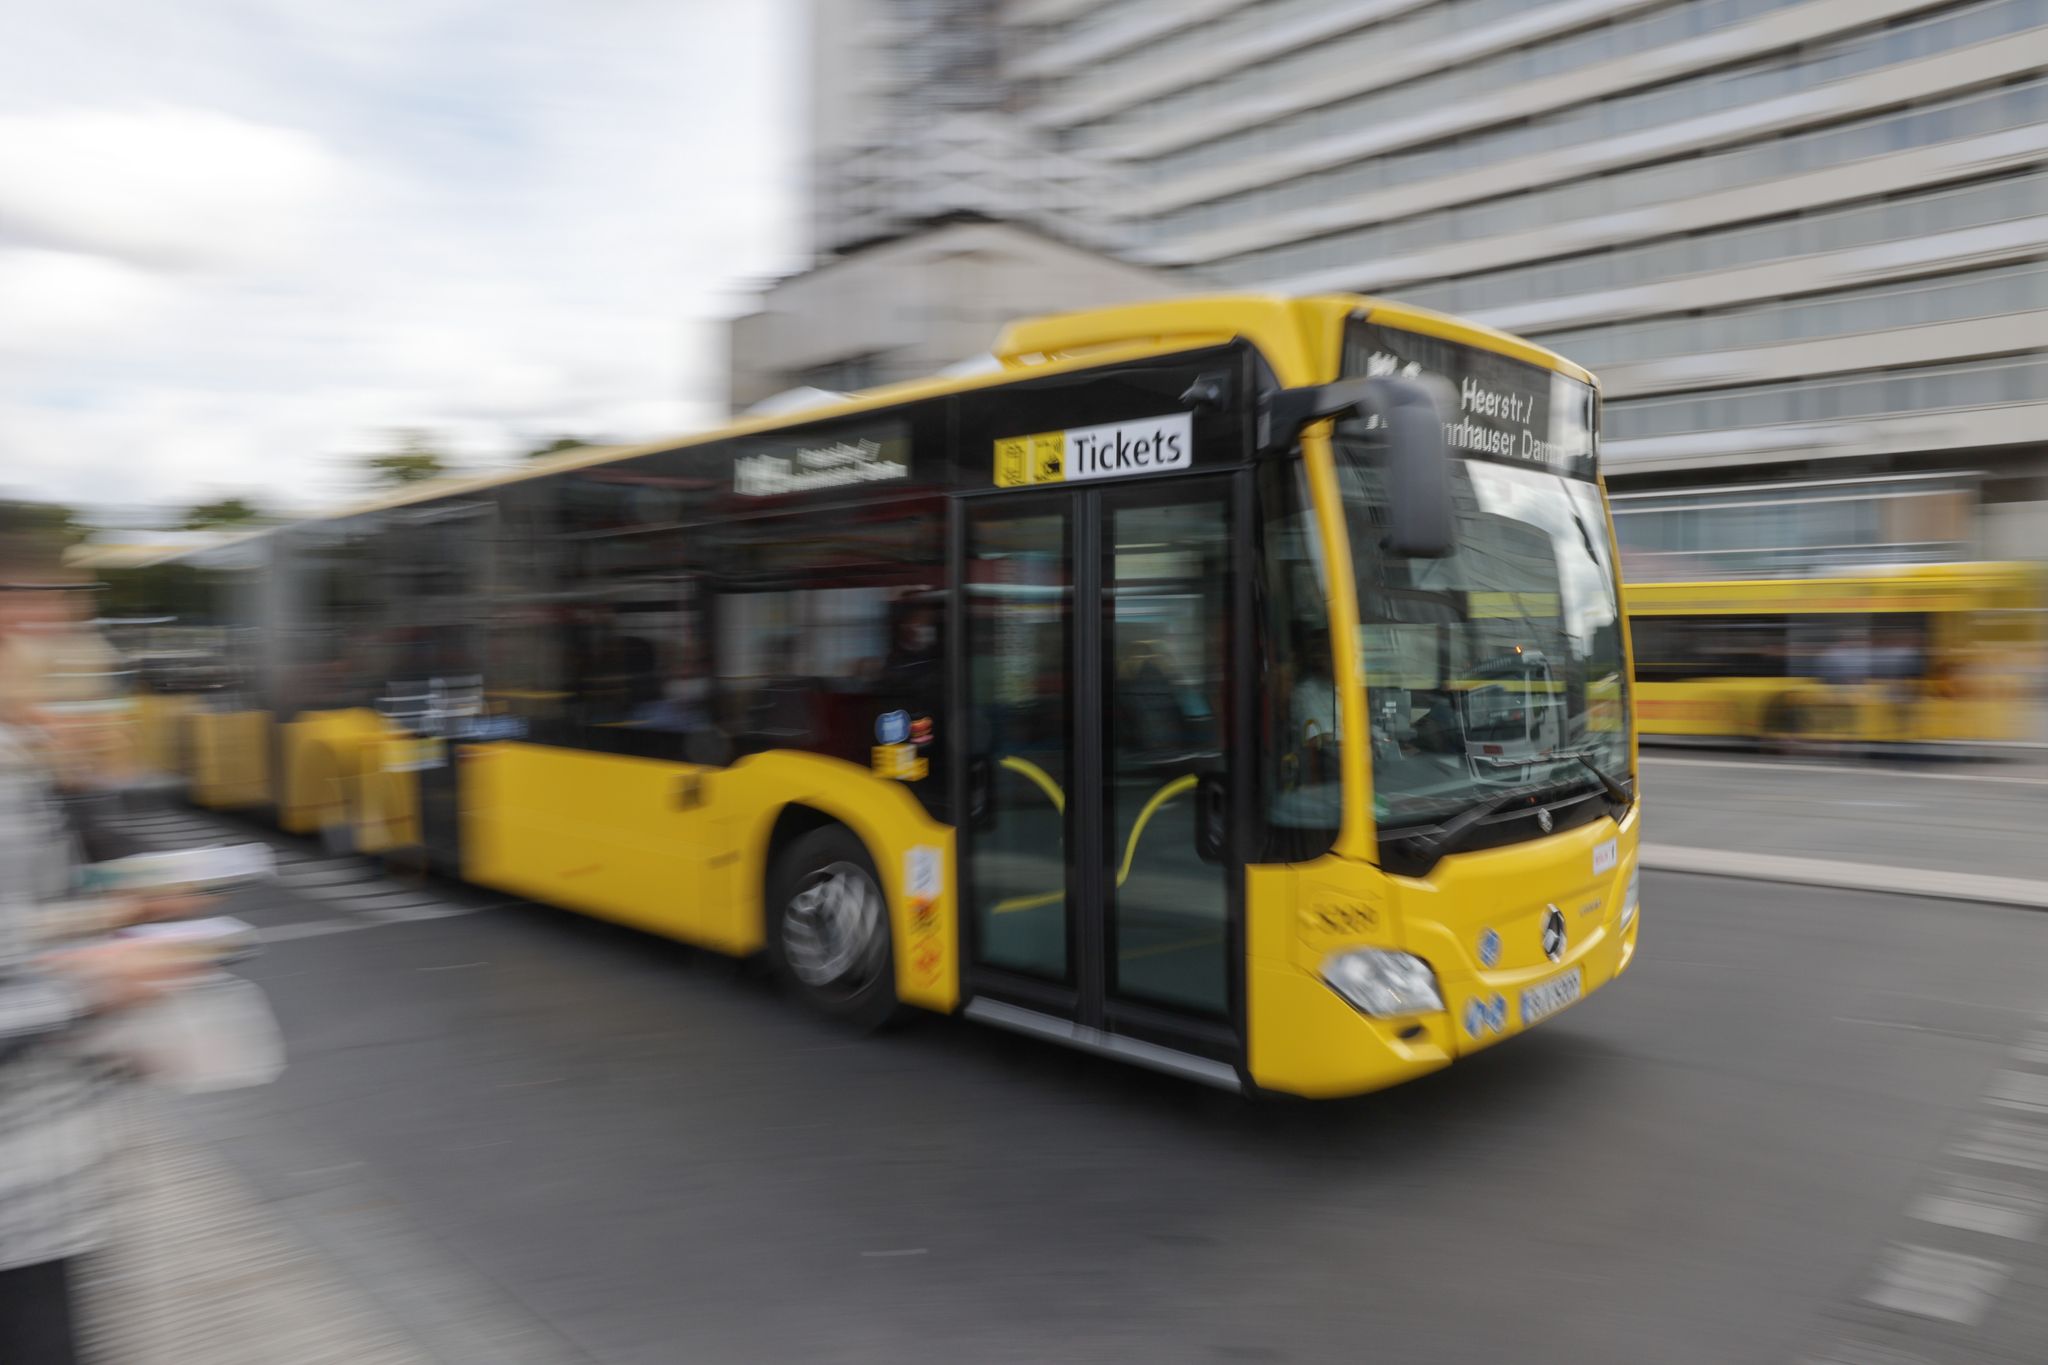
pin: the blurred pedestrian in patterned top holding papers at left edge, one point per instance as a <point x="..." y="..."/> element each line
<point x="56" y="987"/>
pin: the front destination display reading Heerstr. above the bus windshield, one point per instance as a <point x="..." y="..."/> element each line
<point x="1506" y="410"/>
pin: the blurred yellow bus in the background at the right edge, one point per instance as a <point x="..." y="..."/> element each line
<point x="1928" y="654"/>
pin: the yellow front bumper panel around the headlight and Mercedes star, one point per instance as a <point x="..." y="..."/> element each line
<point x="1308" y="1041"/>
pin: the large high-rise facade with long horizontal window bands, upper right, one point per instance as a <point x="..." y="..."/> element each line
<point x="1805" y="238"/>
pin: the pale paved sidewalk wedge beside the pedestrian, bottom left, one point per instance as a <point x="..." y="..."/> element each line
<point x="202" y="1274"/>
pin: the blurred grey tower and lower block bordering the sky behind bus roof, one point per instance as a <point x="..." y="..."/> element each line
<point x="937" y="212"/>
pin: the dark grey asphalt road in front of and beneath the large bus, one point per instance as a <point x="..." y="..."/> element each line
<point x="542" y="1139"/>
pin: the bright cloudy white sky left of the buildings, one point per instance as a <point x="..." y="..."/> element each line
<point x="243" y="240"/>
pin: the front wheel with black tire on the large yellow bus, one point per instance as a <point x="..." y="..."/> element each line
<point x="835" y="953"/>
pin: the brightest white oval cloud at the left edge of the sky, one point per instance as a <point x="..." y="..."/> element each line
<point x="163" y="187"/>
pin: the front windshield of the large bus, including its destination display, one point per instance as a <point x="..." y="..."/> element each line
<point x="1502" y="664"/>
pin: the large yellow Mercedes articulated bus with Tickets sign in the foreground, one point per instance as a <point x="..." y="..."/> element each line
<point x="1164" y="691"/>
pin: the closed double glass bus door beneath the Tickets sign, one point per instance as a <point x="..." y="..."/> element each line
<point x="1099" y="879"/>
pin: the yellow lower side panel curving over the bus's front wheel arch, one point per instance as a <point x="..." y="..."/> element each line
<point x="681" y="850"/>
